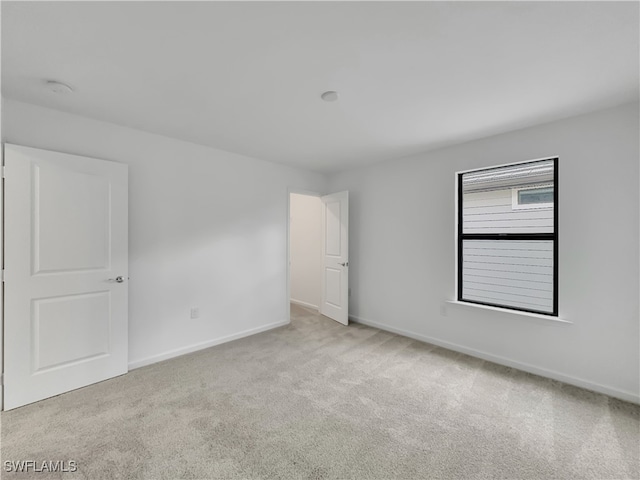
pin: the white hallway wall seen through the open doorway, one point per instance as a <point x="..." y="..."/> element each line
<point x="306" y="249"/>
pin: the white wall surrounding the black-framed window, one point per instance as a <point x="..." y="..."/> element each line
<point x="402" y="263"/>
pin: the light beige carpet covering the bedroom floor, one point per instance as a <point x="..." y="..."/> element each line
<point x="318" y="400"/>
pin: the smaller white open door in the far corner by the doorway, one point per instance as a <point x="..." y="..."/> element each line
<point x="335" y="257"/>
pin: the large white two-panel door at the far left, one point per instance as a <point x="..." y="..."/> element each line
<point x="66" y="249"/>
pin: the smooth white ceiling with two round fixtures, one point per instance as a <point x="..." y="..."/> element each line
<point x="247" y="76"/>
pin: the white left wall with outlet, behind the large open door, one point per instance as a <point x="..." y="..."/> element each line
<point x="207" y="228"/>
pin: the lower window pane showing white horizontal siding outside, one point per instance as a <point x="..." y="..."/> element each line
<point x="511" y="273"/>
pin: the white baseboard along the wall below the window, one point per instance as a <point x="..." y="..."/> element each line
<point x="543" y="372"/>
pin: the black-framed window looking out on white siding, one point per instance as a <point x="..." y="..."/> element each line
<point x="508" y="236"/>
